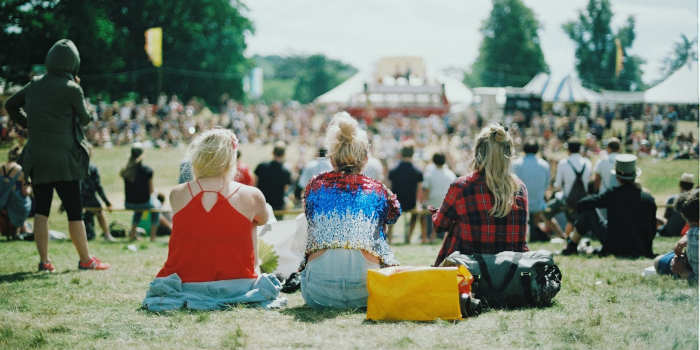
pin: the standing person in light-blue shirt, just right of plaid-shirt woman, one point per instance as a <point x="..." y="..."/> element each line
<point x="534" y="173"/>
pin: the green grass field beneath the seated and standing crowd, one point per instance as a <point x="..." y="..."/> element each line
<point x="604" y="303"/>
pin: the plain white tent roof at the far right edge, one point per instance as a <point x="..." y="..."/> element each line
<point x="679" y="88"/>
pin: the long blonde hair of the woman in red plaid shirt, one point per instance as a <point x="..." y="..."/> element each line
<point x="494" y="148"/>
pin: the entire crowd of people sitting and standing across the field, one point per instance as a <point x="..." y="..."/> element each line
<point x="477" y="191"/>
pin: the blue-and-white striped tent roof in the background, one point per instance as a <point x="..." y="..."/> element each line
<point x="555" y="88"/>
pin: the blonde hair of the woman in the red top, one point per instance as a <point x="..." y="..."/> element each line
<point x="213" y="153"/>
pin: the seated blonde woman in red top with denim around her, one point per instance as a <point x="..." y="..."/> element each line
<point x="214" y="237"/>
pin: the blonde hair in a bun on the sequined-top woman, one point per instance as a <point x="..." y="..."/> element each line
<point x="348" y="145"/>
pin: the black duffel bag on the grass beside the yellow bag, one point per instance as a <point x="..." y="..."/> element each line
<point x="511" y="279"/>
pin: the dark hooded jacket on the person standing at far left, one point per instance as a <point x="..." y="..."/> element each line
<point x="54" y="113"/>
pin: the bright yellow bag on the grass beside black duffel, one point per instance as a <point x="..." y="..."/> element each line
<point x="413" y="293"/>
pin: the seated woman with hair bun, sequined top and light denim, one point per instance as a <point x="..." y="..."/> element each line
<point x="347" y="214"/>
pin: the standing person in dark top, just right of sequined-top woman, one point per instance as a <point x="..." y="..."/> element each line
<point x="406" y="182"/>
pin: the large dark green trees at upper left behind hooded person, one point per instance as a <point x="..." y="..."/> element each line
<point x="203" y="44"/>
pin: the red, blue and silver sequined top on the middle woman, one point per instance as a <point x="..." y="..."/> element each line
<point x="350" y="211"/>
